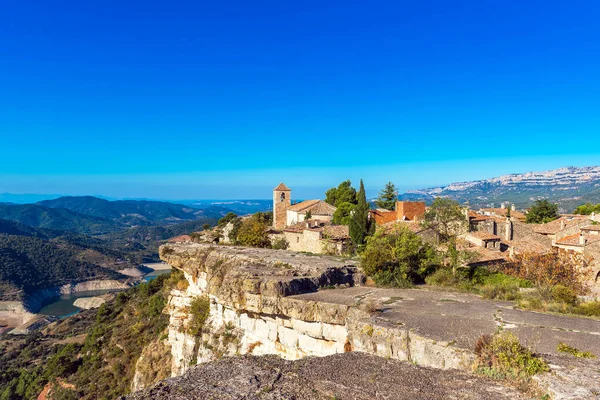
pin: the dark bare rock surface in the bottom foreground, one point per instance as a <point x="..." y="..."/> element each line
<point x="344" y="376"/>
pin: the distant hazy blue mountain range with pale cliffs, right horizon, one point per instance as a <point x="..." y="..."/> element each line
<point x="568" y="186"/>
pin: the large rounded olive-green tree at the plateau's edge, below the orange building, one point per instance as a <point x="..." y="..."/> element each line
<point x="398" y="258"/>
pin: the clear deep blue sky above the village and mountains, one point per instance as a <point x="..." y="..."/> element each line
<point x="197" y="99"/>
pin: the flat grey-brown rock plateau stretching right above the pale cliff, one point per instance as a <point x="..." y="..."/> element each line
<point x="461" y="318"/>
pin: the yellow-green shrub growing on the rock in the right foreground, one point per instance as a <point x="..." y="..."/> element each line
<point x="503" y="357"/>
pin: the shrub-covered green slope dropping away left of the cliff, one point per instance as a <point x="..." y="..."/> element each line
<point x="91" y="355"/>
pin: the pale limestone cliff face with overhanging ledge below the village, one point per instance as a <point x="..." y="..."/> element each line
<point x="256" y="307"/>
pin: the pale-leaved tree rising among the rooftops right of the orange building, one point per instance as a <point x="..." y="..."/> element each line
<point x="446" y="218"/>
